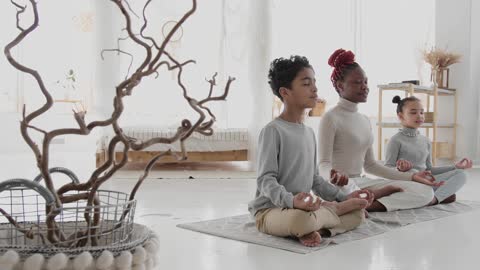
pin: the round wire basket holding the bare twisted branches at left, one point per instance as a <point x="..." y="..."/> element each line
<point x="25" y="204"/>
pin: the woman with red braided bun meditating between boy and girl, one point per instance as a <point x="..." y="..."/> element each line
<point x="345" y="144"/>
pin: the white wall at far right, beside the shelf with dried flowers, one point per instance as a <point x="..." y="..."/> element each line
<point x="454" y="23"/>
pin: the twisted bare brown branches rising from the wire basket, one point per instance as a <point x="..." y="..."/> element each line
<point x="156" y="57"/>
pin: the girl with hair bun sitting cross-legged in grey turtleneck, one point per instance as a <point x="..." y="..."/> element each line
<point x="410" y="151"/>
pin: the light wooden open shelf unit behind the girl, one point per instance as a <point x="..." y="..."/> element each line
<point x="431" y="93"/>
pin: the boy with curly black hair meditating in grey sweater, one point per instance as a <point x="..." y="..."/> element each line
<point x="287" y="167"/>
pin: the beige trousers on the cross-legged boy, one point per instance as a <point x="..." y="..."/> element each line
<point x="285" y="222"/>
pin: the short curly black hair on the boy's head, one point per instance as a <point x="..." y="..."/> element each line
<point x="283" y="71"/>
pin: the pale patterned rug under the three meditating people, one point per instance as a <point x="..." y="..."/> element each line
<point x="242" y="228"/>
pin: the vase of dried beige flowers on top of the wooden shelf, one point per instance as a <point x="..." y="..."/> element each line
<point x="440" y="60"/>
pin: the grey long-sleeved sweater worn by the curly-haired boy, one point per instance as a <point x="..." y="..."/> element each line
<point x="287" y="165"/>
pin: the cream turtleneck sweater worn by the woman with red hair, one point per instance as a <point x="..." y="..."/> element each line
<point x="345" y="144"/>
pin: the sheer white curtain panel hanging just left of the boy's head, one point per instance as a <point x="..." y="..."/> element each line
<point x="246" y="55"/>
